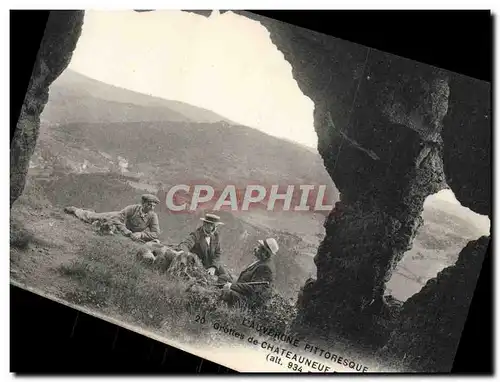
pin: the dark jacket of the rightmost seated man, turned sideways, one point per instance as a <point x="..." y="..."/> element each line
<point x="259" y="271"/>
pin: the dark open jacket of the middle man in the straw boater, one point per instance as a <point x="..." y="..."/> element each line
<point x="196" y="243"/>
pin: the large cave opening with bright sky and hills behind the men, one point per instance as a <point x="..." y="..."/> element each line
<point x="182" y="98"/>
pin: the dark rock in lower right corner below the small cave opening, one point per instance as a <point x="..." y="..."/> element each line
<point x="431" y="322"/>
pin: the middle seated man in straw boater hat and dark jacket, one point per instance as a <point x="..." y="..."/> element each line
<point x="204" y="242"/>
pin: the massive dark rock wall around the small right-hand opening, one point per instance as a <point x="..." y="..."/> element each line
<point x="385" y="126"/>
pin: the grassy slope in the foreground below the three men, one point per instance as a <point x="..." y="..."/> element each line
<point x="60" y="255"/>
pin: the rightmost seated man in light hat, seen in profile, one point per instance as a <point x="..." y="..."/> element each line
<point x="253" y="286"/>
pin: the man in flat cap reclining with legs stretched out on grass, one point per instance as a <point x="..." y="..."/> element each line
<point x="137" y="221"/>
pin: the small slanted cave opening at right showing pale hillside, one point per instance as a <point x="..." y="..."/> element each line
<point x="447" y="228"/>
